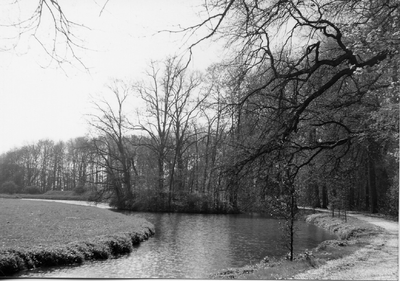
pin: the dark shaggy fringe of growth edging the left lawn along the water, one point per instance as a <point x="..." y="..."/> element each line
<point x="102" y="247"/>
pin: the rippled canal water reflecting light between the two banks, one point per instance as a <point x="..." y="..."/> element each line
<point x="195" y="246"/>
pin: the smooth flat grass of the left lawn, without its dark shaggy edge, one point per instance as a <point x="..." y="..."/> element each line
<point x="28" y="223"/>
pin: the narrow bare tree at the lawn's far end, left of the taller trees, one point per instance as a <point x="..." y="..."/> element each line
<point x="112" y="143"/>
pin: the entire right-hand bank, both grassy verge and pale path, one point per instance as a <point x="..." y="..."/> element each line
<point x="366" y="249"/>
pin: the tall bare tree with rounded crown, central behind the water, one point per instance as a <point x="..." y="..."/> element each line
<point x="171" y="106"/>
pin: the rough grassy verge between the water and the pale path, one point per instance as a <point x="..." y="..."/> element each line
<point x="352" y="235"/>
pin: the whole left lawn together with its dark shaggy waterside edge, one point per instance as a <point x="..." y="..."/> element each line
<point x="35" y="234"/>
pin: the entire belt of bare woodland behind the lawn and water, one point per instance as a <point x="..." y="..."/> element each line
<point x="304" y="111"/>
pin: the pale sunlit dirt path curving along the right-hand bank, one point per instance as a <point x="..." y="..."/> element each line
<point x="377" y="261"/>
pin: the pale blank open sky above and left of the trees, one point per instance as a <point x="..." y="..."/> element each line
<point x="39" y="101"/>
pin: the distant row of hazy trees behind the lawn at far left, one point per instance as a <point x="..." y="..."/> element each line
<point x="46" y="165"/>
